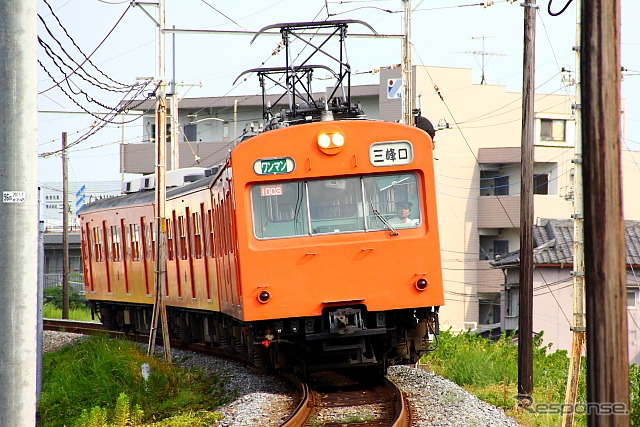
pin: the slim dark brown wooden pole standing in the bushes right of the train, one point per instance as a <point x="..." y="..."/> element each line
<point x="525" y="320"/>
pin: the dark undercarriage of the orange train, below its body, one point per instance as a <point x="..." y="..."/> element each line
<point x="344" y="337"/>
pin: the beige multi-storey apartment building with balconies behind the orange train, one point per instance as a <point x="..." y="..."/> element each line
<point x="477" y="168"/>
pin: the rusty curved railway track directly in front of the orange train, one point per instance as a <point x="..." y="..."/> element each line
<point x="333" y="399"/>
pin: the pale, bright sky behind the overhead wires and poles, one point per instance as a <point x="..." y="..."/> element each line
<point x="120" y="42"/>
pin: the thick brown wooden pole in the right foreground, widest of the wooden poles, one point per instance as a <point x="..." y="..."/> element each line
<point x="607" y="352"/>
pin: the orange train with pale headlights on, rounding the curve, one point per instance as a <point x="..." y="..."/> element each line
<point x="297" y="252"/>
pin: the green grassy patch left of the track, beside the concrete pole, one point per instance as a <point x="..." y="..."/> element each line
<point x="99" y="382"/>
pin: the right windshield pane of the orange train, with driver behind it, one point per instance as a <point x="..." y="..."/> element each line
<point x="385" y="194"/>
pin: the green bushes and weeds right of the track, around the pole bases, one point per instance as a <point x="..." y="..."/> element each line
<point x="489" y="370"/>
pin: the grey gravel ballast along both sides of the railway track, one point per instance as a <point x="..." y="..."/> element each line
<point x="262" y="400"/>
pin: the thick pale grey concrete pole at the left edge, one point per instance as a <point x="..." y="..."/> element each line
<point x="18" y="213"/>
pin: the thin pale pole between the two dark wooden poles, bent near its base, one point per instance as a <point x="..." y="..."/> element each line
<point x="578" y="328"/>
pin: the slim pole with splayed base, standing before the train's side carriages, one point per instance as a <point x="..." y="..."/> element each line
<point x="159" y="308"/>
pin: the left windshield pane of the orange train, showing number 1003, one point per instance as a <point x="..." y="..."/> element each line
<point x="279" y="210"/>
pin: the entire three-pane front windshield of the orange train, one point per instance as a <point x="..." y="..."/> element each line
<point x="343" y="205"/>
